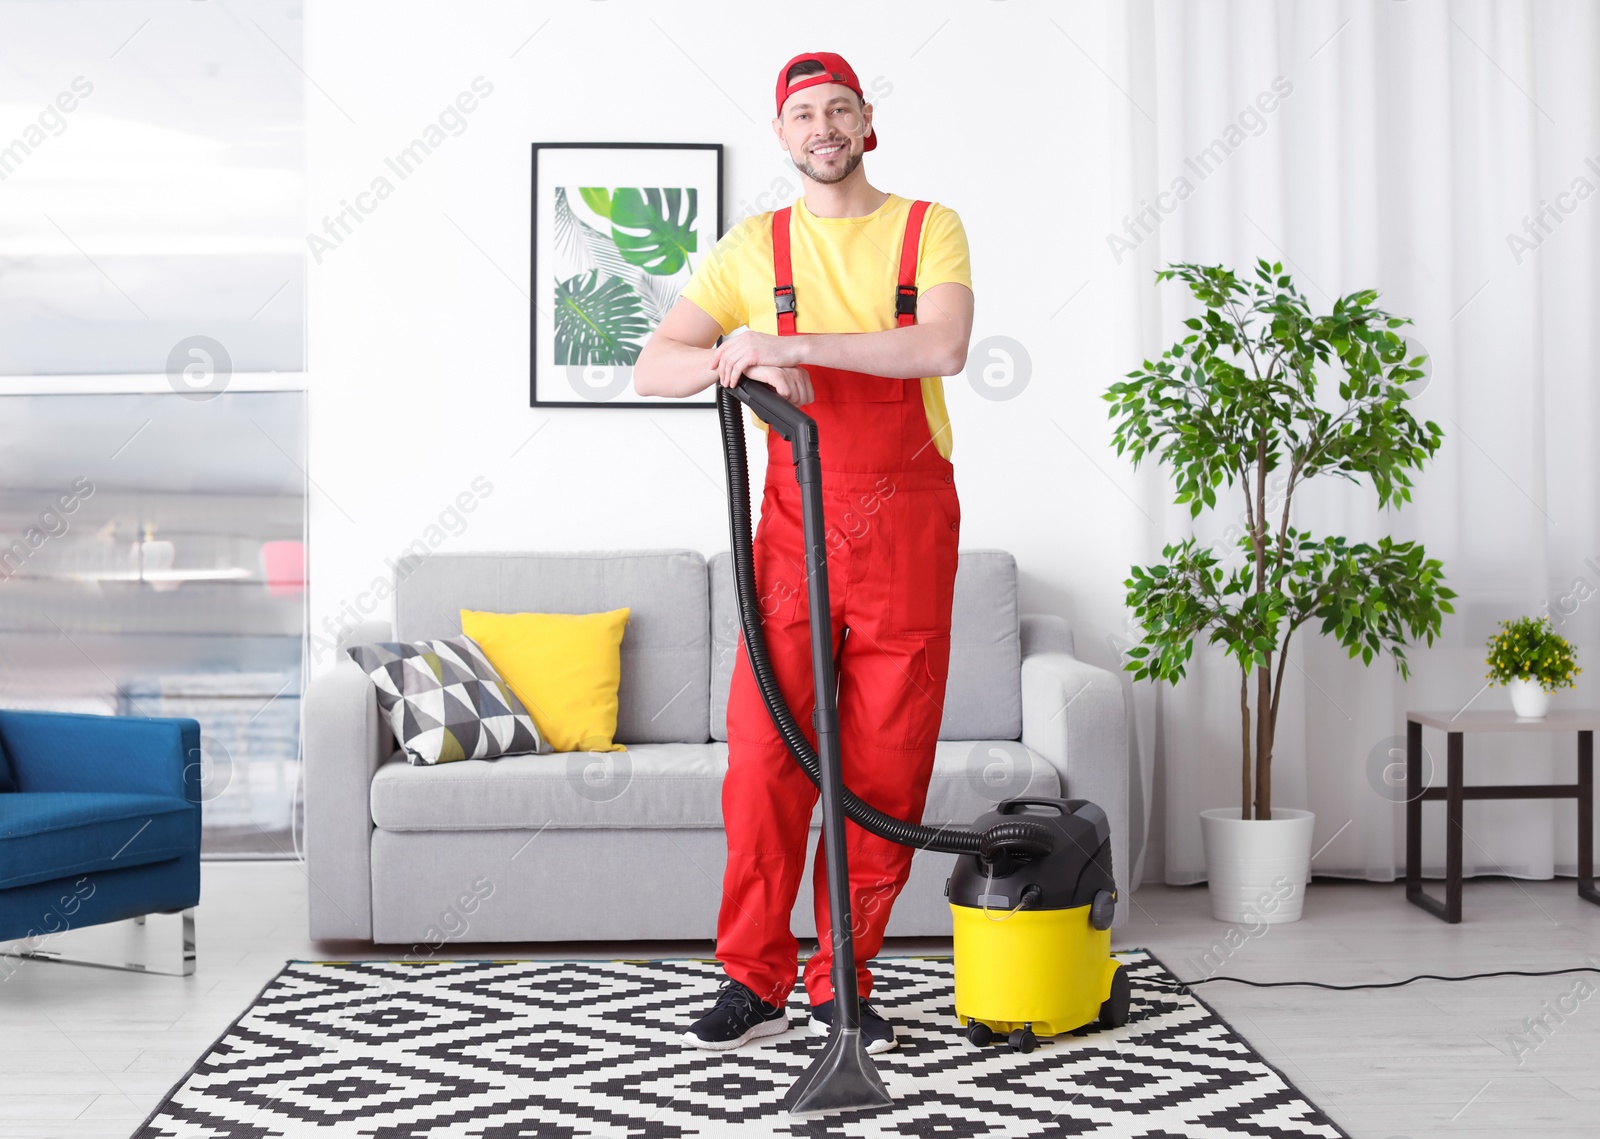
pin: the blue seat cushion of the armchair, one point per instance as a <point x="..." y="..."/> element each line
<point x="57" y="834"/>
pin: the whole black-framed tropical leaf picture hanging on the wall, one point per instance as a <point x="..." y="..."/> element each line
<point x="618" y="231"/>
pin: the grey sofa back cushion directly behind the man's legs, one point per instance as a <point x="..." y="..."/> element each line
<point x="983" y="695"/>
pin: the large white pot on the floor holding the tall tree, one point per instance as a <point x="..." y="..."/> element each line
<point x="1257" y="869"/>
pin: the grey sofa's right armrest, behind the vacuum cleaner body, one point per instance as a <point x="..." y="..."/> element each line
<point x="1074" y="716"/>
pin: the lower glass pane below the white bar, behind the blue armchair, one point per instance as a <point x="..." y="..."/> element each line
<point x="153" y="564"/>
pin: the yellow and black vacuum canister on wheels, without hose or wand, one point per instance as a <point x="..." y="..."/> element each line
<point x="1033" y="938"/>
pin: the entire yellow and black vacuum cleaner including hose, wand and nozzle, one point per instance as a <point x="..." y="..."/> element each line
<point x="1031" y="893"/>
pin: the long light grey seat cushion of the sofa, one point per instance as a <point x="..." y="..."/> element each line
<point x="657" y="788"/>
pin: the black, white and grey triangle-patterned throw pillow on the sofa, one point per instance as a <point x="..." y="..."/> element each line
<point x="447" y="703"/>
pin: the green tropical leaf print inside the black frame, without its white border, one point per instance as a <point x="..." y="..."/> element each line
<point x="623" y="257"/>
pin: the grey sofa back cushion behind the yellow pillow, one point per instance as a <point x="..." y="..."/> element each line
<point x="663" y="695"/>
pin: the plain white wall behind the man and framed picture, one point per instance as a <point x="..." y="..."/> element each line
<point x="420" y="319"/>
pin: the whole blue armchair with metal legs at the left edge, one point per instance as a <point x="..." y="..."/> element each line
<point x="103" y="826"/>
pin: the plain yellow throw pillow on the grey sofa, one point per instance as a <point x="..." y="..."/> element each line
<point x="566" y="668"/>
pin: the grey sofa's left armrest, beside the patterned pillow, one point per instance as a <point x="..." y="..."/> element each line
<point x="346" y="740"/>
